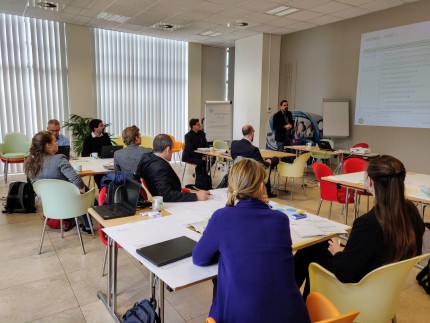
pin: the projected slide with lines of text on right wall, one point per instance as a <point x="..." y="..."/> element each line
<point x="394" y="77"/>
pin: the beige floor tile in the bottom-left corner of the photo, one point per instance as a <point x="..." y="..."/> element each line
<point x="36" y="300"/>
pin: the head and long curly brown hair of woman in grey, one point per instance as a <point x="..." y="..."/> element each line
<point x="43" y="143"/>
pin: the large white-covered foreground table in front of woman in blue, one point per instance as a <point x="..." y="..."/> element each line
<point x="133" y="233"/>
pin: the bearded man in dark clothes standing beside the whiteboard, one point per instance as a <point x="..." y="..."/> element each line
<point x="284" y="126"/>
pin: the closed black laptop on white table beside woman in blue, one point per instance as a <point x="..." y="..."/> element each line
<point x="169" y="251"/>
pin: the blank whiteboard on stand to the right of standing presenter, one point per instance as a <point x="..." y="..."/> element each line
<point x="336" y="117"/>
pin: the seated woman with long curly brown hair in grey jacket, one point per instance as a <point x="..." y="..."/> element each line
<point x="43" y="163"/>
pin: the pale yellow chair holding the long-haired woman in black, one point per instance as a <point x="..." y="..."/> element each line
<point x="375" y="295"/>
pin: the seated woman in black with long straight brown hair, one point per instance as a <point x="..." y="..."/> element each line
<point x="391" y="231"/>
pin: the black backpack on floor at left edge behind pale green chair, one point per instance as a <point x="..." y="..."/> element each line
<point x="21" y="198"/>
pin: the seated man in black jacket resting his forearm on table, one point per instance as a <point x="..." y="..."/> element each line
<point x="160" y="177"/>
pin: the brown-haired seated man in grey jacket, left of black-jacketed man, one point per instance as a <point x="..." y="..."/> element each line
<point x="128" y="158"/>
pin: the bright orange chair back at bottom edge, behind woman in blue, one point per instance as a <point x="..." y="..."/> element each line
<point x="320" y="310"/>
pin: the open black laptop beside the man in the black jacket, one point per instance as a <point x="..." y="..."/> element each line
<point x="128" y="205"/>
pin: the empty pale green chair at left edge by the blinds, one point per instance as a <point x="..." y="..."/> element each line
<point x="14" y="149"/>
